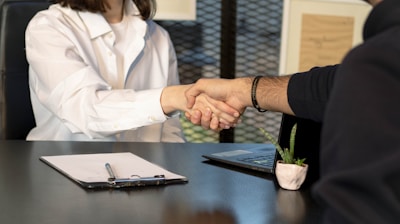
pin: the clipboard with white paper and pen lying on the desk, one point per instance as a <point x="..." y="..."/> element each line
<point x="111" y="170"/>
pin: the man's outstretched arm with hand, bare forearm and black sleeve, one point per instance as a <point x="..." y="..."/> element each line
<point x="303" y="94"/>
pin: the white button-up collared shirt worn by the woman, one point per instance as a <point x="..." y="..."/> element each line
<point x="82" y="89"/>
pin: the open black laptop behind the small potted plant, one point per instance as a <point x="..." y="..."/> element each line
<point x="263" y="158"/>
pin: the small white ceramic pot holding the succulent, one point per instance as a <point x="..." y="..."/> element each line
<point x="290" y="176"/>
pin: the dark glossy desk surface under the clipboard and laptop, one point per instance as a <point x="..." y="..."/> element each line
<point x="32" y="192"/>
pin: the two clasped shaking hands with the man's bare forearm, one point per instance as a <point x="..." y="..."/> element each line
<point x="217" y="104"/>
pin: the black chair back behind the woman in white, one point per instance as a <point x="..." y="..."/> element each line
<point x="16" y="110"/>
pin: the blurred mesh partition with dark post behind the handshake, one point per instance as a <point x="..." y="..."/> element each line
<point x="230" y="38"/>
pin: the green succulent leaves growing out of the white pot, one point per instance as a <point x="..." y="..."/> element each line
<point x="286" y="154"/>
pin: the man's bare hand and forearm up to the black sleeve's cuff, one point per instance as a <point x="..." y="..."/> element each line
<point x="270" y="94"/>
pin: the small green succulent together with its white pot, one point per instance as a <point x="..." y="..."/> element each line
<point x="290" y="172"/>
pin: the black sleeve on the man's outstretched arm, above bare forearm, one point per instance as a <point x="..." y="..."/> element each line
<point x="308" y="92"/>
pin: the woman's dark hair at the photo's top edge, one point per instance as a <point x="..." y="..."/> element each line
<point x="147" y="8"/>
